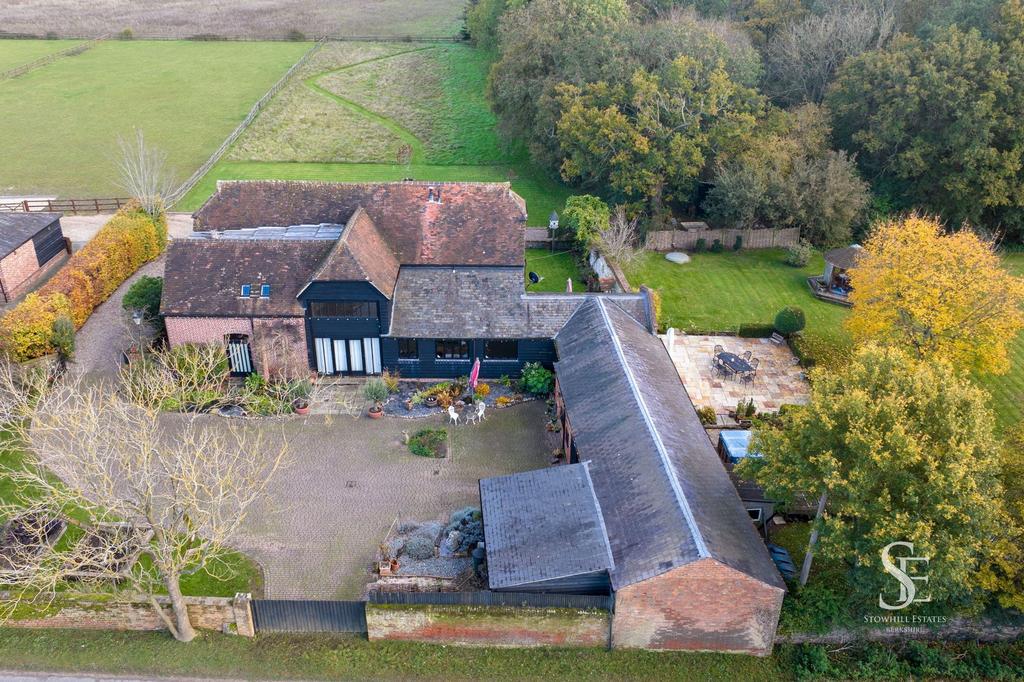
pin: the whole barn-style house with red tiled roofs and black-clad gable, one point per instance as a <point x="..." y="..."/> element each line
<point x="356" y="279"/>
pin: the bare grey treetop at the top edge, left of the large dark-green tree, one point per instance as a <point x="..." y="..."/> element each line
<point x="803" y="58"/>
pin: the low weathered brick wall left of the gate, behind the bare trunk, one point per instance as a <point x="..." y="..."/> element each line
<point x="232" y="616"/>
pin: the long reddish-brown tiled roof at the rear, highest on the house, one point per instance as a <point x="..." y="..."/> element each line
<point x="476" y="224"/>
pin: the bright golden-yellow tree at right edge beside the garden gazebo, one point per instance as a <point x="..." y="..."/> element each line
<point x="936" y="295"/>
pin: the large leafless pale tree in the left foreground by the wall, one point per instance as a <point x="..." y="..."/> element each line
<point x="183" y="485"/>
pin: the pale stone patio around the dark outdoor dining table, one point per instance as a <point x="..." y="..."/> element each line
<point x="778" y="382"/>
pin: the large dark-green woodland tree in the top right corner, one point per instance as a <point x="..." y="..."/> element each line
<point x="937" y="122"/>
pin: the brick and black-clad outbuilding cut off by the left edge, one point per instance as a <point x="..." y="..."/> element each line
<point x="30" y="244"/>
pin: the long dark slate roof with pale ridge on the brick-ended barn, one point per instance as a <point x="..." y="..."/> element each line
<point x="666" y="498"/>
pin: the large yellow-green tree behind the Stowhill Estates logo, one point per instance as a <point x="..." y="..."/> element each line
<point x="903" y="451"/>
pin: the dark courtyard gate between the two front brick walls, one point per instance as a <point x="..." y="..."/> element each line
<point x="310" y="616"/>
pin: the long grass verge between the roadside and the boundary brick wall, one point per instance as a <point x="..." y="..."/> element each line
<point x="322" y="658"/>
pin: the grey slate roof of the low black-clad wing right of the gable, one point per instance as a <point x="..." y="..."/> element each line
<point x="486" y="303"/>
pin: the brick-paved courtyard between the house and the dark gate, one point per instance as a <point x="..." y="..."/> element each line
<point x="351" y="479"/>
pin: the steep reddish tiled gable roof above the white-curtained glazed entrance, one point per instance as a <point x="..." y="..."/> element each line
<point x="362" y="254"/>
